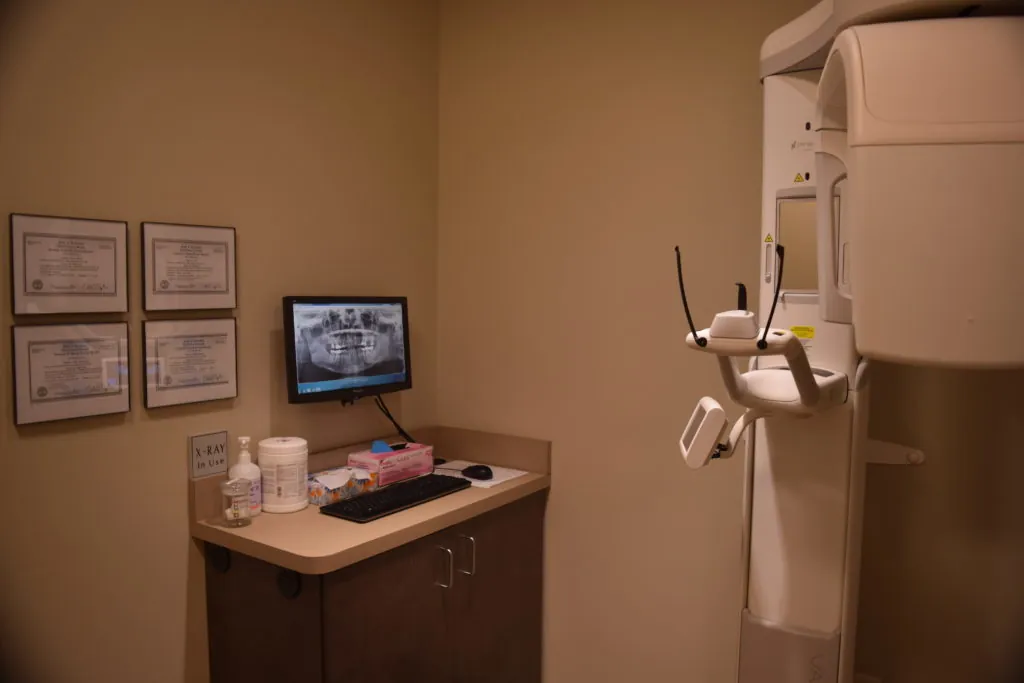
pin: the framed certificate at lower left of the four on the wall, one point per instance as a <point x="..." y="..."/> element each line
<point x="70" y="371"/>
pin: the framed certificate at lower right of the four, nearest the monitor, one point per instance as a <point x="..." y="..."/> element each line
<point x="190" y="362"/>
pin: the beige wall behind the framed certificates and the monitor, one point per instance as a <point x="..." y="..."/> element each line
<point x="314" y="133"/>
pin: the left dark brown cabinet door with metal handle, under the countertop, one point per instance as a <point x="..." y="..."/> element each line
<point x="387" y="619"/>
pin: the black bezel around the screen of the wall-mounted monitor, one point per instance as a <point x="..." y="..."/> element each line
<point x="346" y="396"/>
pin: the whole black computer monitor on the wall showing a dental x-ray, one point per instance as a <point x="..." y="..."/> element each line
<point x="343" y="349"/>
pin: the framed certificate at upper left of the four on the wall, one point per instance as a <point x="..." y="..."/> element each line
<point x="68" y="266"/>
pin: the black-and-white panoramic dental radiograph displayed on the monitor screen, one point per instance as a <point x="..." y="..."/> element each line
<point x="347" y="341"/>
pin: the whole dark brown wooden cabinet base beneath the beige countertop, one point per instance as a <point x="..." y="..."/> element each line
<point x="463" y="606"/>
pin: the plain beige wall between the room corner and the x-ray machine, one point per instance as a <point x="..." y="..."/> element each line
<point x="580" y="142"/>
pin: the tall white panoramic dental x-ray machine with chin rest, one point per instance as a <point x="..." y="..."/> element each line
<point x="893" y="172"/>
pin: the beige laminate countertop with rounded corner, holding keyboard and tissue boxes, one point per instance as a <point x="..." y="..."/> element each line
<point x="311" y="543"/>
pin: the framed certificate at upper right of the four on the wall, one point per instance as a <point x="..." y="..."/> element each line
<point x="188" y="268"/>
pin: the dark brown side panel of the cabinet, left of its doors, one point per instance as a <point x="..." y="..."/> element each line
<point x="264" y="622"/>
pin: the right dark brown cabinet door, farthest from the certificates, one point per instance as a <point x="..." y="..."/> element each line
<point x="499" y="592"/>
